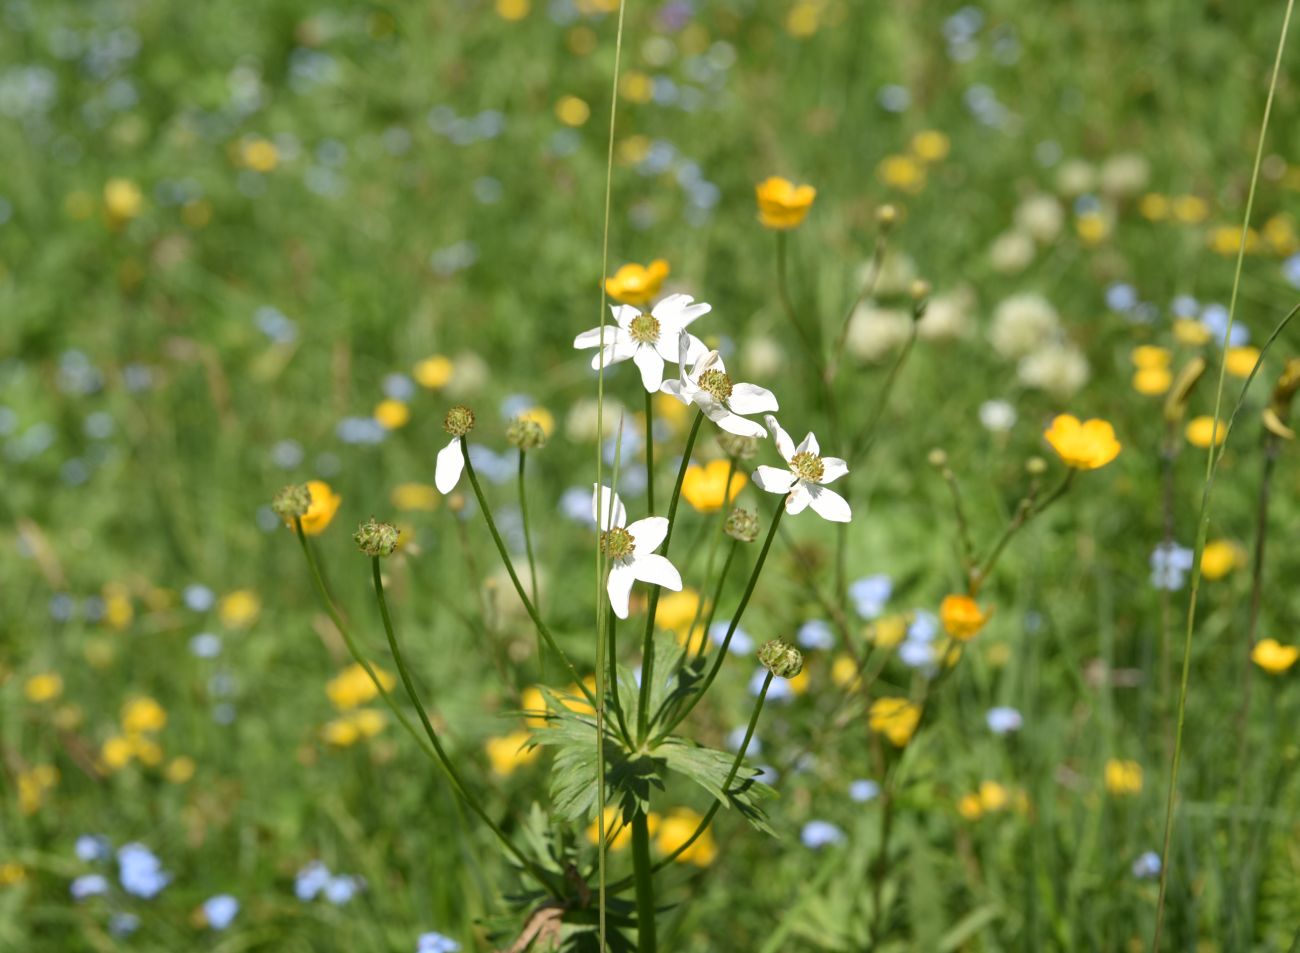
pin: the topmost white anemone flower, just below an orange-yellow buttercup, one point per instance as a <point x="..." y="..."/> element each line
<point x="649" y="339"/>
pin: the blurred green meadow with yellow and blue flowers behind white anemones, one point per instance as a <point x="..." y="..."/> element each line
<point x="254" y="245"/>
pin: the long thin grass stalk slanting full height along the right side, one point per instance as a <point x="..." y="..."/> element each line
<point x="1210" y="483"/>
